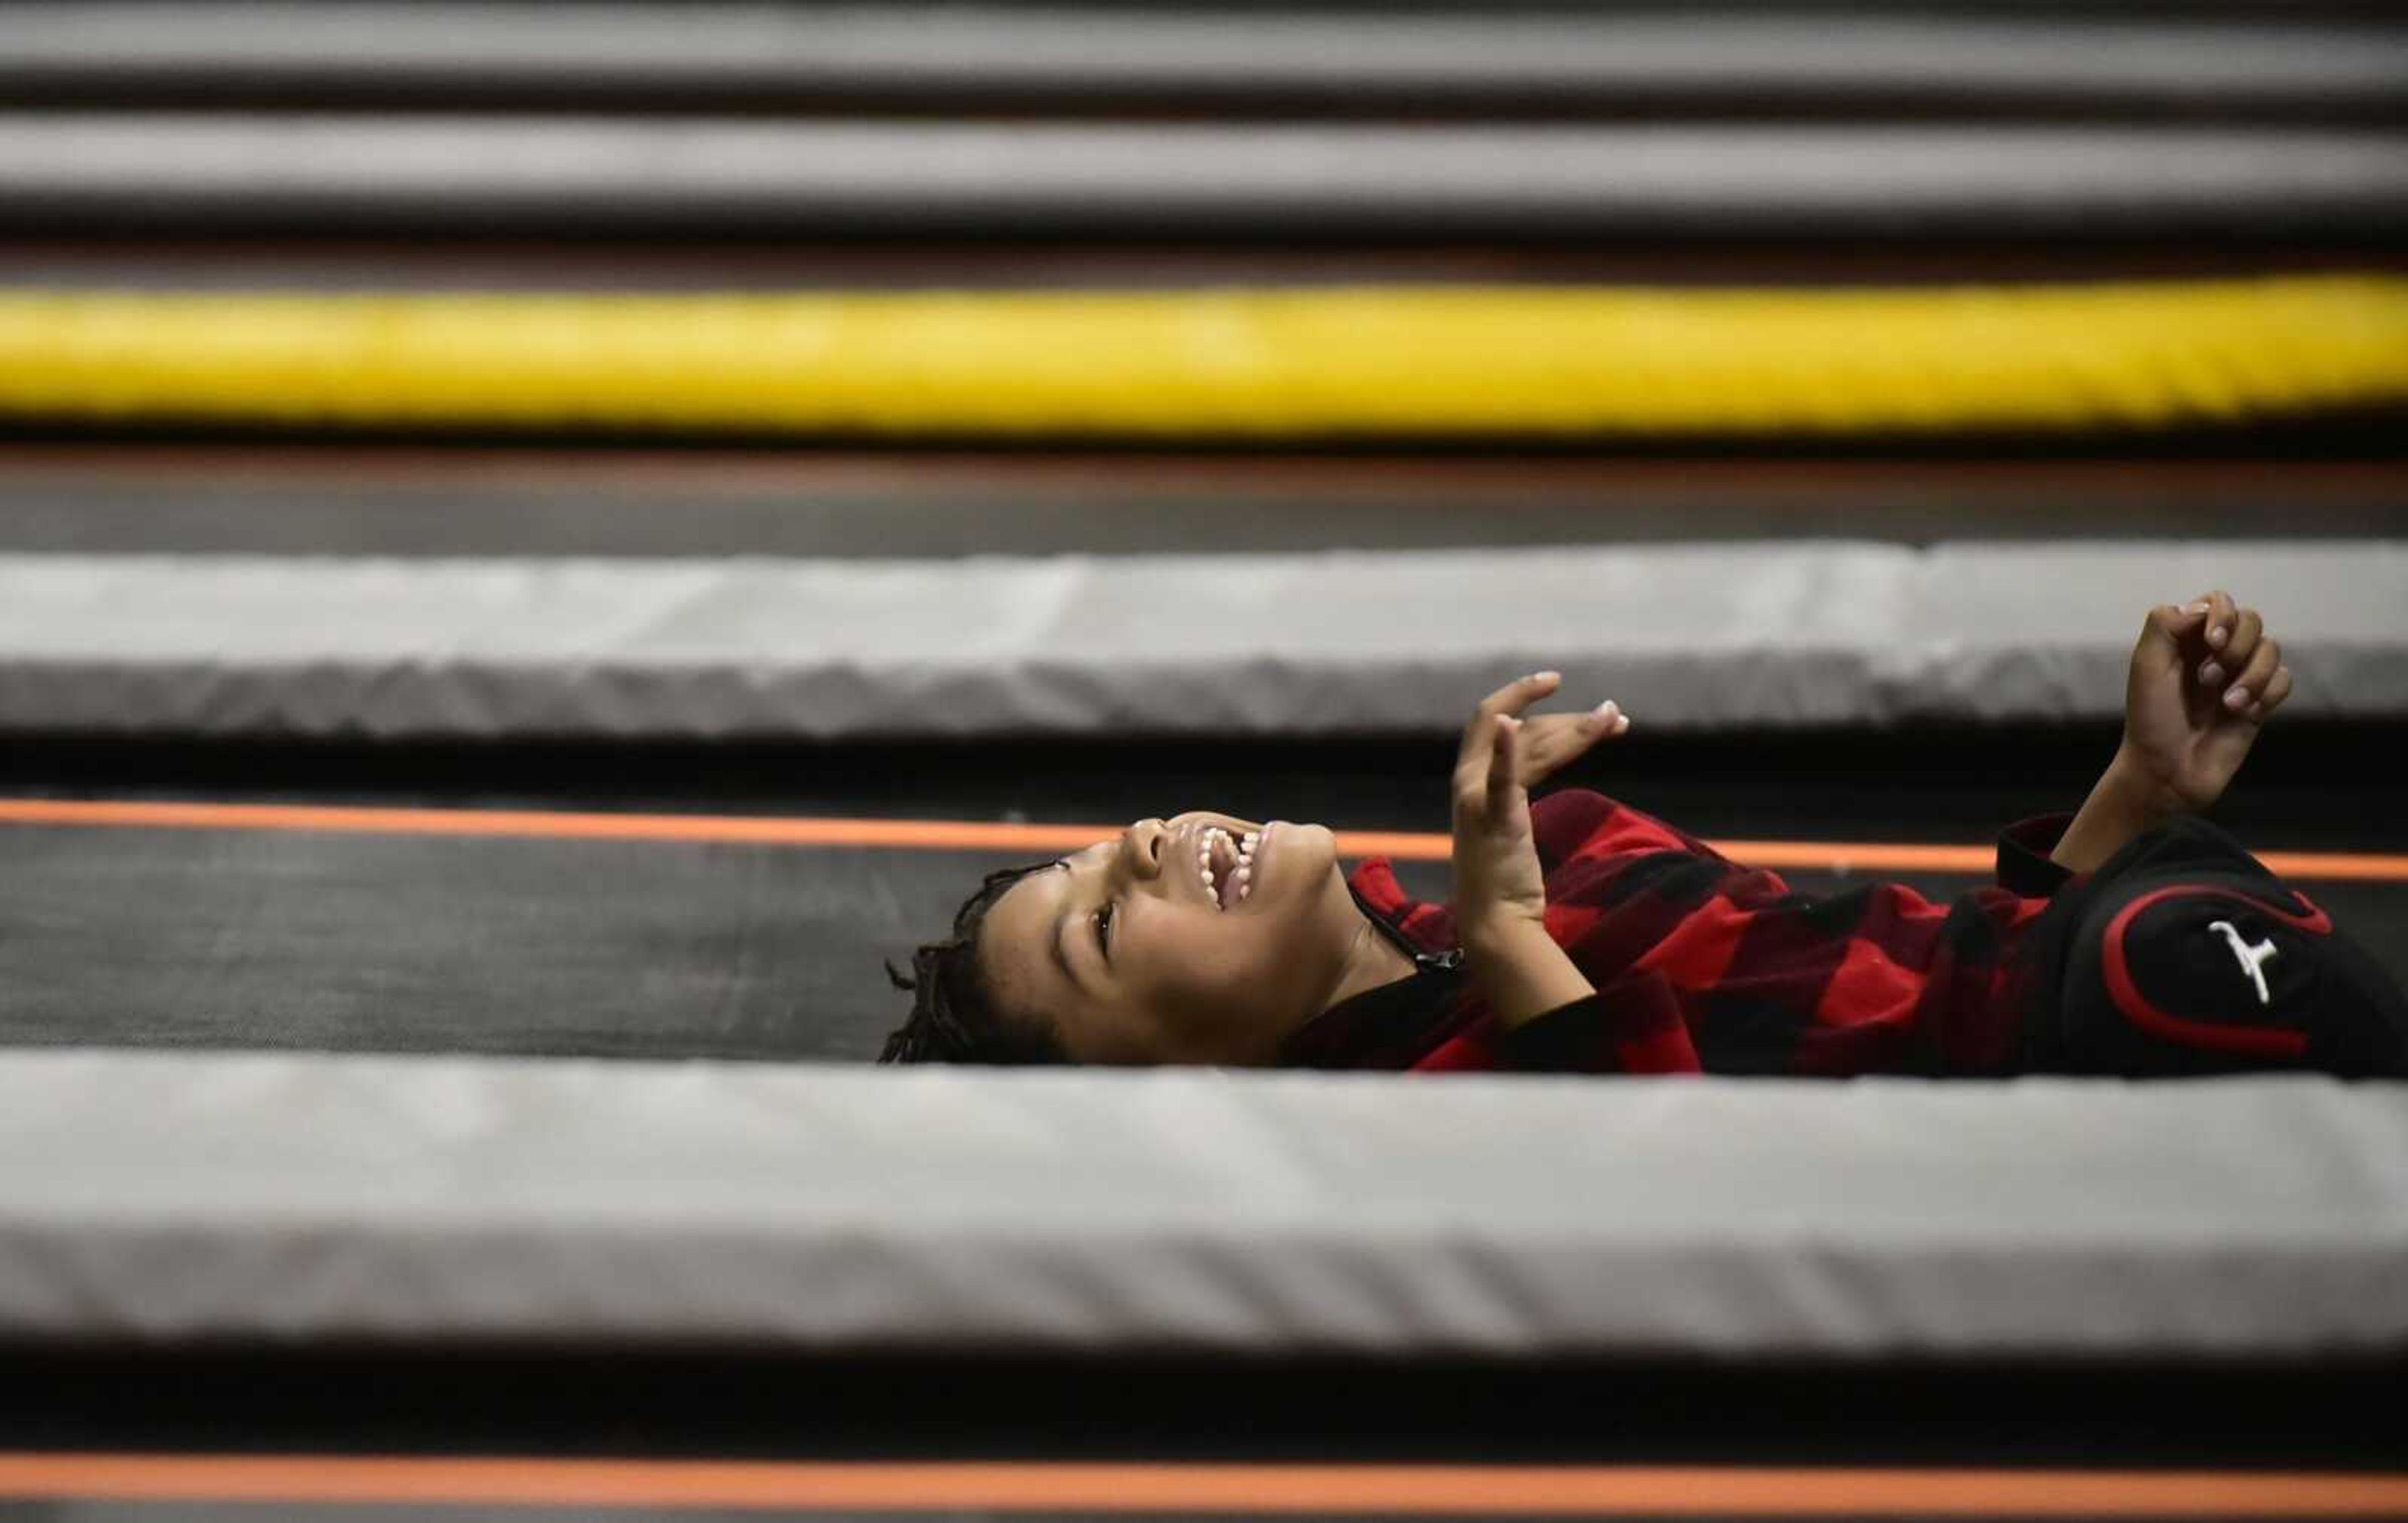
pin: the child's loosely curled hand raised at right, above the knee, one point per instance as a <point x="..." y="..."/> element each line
<point x="2202" y="685"/>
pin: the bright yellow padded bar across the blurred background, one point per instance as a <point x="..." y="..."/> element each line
<point x="1299" y="362"/>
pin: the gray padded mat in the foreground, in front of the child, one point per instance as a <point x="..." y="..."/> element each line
<point x="150" y="1197"/>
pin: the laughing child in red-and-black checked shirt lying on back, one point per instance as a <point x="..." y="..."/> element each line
<point x="2130" y="940"/>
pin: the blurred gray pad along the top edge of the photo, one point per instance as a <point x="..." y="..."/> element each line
<point x="1492" y="54"/>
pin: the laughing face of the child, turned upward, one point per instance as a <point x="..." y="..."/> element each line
<point x="1184" y="980"/>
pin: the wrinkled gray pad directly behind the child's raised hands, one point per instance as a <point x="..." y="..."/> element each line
<point x="1400" y="641"/>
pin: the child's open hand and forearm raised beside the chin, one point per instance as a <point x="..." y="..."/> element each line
<point x="1497" y="863"/>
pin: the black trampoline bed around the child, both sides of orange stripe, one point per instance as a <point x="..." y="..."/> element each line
<point x="668" y="949"/>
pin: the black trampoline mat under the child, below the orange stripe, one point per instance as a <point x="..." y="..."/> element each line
<point x="464" y="944"/>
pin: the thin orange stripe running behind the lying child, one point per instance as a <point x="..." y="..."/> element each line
<point x="972" y="836"/>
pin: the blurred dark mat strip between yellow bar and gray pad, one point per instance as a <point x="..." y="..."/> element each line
<point x="846" y="504"/>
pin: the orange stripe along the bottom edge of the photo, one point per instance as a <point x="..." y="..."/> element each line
<point x="1427" y="1491"/>
